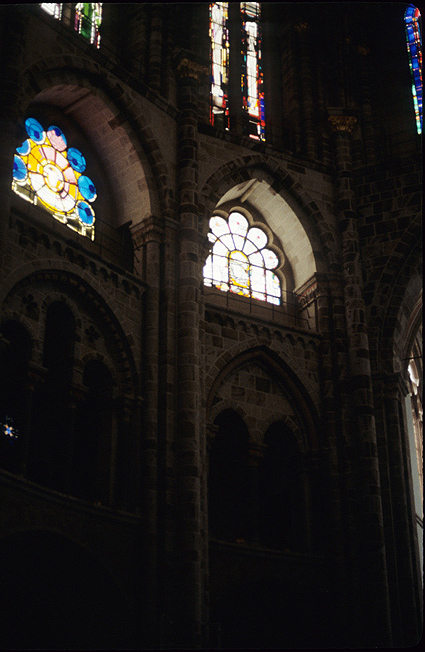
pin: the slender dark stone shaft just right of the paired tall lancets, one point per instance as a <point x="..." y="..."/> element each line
<point x="309" y="126"/>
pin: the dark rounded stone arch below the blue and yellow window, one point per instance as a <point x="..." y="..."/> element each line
<point x="89" y="294"/>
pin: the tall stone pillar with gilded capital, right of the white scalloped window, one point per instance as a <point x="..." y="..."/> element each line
<point x="370" y="581"/>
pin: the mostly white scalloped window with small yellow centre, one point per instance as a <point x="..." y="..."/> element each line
<point x="239" y="261"/>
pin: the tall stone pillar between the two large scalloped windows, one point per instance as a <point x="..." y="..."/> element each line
<point x="188" y="435"/>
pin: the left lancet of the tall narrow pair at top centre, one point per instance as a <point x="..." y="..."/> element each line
<point x="219" y="35"/>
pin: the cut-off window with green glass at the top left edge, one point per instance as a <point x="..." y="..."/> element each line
<point x="85" y="17"/>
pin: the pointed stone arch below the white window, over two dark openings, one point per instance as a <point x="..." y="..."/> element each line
<point x="272" y="362"/>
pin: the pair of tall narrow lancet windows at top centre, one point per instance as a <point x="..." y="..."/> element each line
<point x="246" y="45"/>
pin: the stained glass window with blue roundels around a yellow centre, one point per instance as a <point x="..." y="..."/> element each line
<point x="48" y="172"/>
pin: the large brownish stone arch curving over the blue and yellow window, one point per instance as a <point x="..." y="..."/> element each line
<point x="101" y="107"/>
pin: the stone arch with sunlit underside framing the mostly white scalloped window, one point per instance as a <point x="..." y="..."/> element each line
<point x="256" y="175"/>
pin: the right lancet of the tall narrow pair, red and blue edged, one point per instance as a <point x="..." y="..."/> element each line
<point x="252" y="76"/>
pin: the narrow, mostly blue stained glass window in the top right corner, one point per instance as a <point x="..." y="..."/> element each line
<point x="414" y="48"/>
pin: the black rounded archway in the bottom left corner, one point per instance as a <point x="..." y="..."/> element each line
<point x="54" y="595"/>
